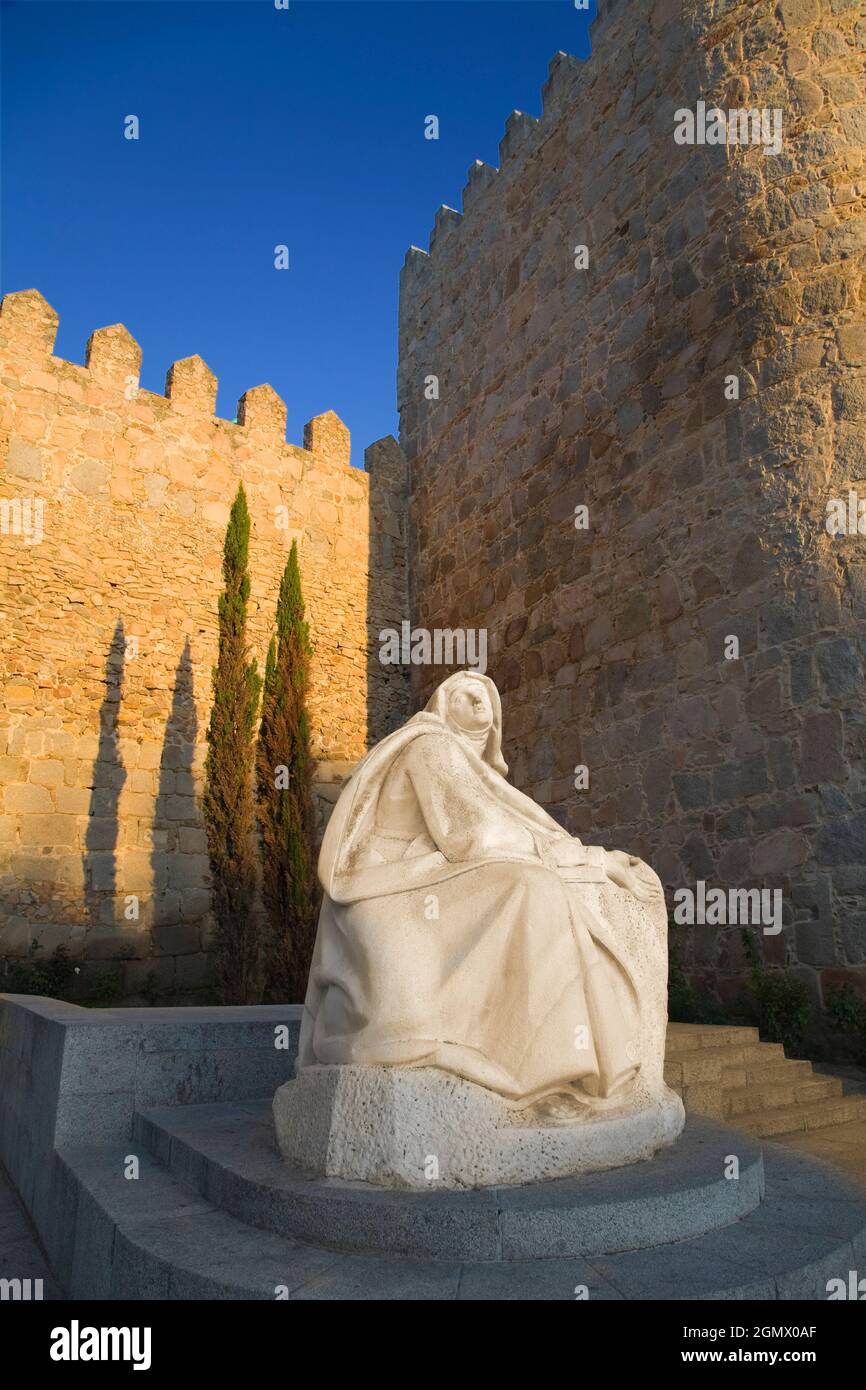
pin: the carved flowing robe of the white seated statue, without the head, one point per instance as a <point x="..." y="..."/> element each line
<point x="448" y="939"/>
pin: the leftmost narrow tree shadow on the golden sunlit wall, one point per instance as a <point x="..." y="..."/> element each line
<point x="106" y="787"/>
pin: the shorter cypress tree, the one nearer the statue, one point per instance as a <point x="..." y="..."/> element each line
<point x="284" y="778"/>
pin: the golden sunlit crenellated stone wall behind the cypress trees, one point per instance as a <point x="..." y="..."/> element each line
<point x="113" y="511"/>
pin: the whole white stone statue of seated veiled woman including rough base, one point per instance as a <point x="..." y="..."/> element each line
<point x="487" y="999"/>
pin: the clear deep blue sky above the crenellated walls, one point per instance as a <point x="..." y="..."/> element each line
<point x="258" y="127"/>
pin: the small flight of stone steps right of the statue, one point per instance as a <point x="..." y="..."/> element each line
<point x="730" y="1075"/>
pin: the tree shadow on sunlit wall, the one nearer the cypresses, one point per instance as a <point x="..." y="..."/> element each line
<point x="174" y="811"/>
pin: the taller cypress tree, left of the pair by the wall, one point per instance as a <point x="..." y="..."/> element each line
<point x="229" y="771"/>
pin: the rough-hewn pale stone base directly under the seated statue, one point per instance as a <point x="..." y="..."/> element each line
<point x="420" y="1128"/>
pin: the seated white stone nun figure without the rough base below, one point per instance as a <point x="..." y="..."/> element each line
<point x="464" y="931"/>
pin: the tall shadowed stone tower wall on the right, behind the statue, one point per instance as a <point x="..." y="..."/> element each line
<point x="558" y="387"/>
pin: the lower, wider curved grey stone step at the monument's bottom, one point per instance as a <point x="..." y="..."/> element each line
<point x="149" y="1239"/>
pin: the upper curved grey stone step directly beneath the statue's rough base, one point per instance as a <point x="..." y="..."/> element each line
<point x="227" y="1154"/>
